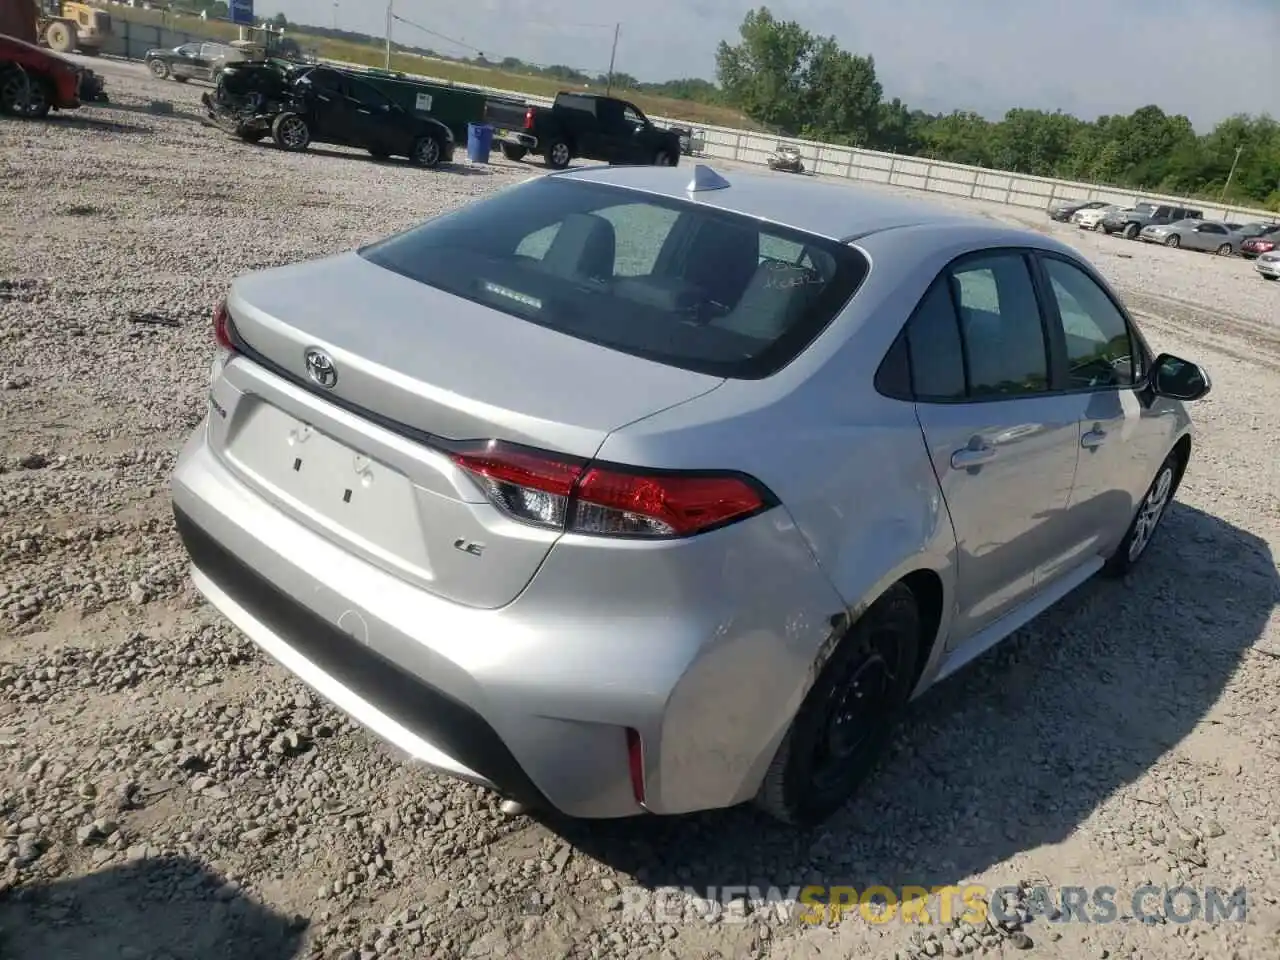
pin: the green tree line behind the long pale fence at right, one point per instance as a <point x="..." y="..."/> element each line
<point x="803" y="85"/>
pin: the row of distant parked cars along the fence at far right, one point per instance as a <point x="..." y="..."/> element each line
<point x="1178" y="227"/>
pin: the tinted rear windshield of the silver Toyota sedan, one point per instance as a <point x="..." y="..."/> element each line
<point x="666" y="280"/>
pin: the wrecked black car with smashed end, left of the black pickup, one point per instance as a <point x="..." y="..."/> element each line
<point x="299" y="106"/>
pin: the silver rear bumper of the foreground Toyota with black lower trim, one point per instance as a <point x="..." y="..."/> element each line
<point x="705" y="651"/>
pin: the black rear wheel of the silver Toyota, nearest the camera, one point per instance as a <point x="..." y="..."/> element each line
<point x="844" y="724"/>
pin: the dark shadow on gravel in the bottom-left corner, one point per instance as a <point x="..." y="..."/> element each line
<point x="162" y="909"/>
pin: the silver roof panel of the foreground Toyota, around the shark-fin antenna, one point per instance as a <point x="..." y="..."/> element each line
<point x="836" y="211"/>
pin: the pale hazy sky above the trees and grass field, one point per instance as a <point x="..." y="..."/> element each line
<point x="1206" y="60"/>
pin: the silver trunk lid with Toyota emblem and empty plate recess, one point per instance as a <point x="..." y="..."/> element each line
<point x="360" y="452"/>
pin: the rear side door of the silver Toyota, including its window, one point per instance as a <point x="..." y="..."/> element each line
<point x="1004" y="446"/>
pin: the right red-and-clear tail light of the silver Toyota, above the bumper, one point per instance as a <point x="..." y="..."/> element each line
<point x="582" y="497"/>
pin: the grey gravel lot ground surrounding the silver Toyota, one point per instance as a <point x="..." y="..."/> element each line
<point x="168" y="794"/>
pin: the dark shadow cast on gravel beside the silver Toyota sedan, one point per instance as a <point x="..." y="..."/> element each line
<point x="1013" y="753"/>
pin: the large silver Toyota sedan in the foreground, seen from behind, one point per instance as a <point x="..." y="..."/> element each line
<point x="620" y="492"/>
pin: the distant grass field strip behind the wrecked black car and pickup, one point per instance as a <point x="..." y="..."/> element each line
<point x="373" y="56"/>
